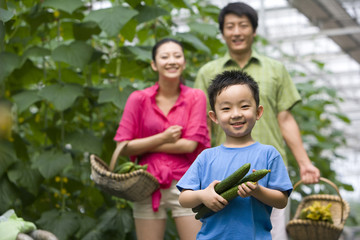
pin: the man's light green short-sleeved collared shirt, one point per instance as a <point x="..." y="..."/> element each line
<point x="277" y="93"/>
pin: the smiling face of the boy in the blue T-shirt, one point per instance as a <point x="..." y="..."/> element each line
<point x="236" y="112"/>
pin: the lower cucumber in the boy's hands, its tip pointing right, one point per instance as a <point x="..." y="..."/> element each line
<point x="231" y="193"/>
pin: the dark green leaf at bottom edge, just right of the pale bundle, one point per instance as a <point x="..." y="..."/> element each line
<point x="62" y="224"/>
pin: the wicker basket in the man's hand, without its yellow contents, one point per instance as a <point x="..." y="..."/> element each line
<point x="301" y="229"/>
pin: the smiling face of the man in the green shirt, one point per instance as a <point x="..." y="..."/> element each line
<point x="238" y="34"/>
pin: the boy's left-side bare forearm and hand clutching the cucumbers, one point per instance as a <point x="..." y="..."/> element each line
<point x="207" y="196"/>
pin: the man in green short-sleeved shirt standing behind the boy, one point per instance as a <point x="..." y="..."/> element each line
<point x="238" y="23"/>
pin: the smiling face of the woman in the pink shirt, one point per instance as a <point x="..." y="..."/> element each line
<point x="169" y="61"/>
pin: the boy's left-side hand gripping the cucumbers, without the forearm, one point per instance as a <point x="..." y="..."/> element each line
<point x="213" y="200"/>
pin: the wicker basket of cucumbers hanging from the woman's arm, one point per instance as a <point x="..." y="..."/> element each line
<point x="133" y="186"/>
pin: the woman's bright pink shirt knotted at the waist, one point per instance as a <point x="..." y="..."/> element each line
<point x="143" y="118"/>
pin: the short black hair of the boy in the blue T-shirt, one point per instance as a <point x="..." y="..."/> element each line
<point x="230" y="78"/>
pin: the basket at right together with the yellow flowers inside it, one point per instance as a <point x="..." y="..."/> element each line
<point x="319" y="216"/>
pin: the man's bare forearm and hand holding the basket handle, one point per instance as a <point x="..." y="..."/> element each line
<point x="291" y="134"/>
